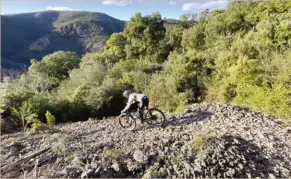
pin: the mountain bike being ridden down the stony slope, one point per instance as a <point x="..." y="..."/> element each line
<point x="153" y="117"/>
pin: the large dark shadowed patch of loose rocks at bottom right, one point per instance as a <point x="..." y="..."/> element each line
<point x="233" y="157"/>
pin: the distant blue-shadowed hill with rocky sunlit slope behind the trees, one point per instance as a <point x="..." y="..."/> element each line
<point x="34" y="35"/>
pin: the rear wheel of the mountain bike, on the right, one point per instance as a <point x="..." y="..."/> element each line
<point x="155" y="117"/>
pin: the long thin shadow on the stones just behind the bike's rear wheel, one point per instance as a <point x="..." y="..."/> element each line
<point x="188" y="118"/>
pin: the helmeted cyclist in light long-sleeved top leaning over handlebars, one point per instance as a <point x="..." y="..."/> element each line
<point x="136" y="100"/>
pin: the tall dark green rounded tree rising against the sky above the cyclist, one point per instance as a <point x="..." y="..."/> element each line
<point x="146" y="38"/>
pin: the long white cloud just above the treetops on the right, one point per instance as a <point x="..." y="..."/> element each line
<point x="196" y="6"/>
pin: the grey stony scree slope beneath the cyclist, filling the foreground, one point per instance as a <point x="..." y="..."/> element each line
<point x="207" y="140"/>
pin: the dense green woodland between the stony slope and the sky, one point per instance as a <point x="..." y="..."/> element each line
<point x="238" y="55"/>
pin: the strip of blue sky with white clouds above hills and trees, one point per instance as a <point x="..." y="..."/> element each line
<point x="120" y="9"/>
